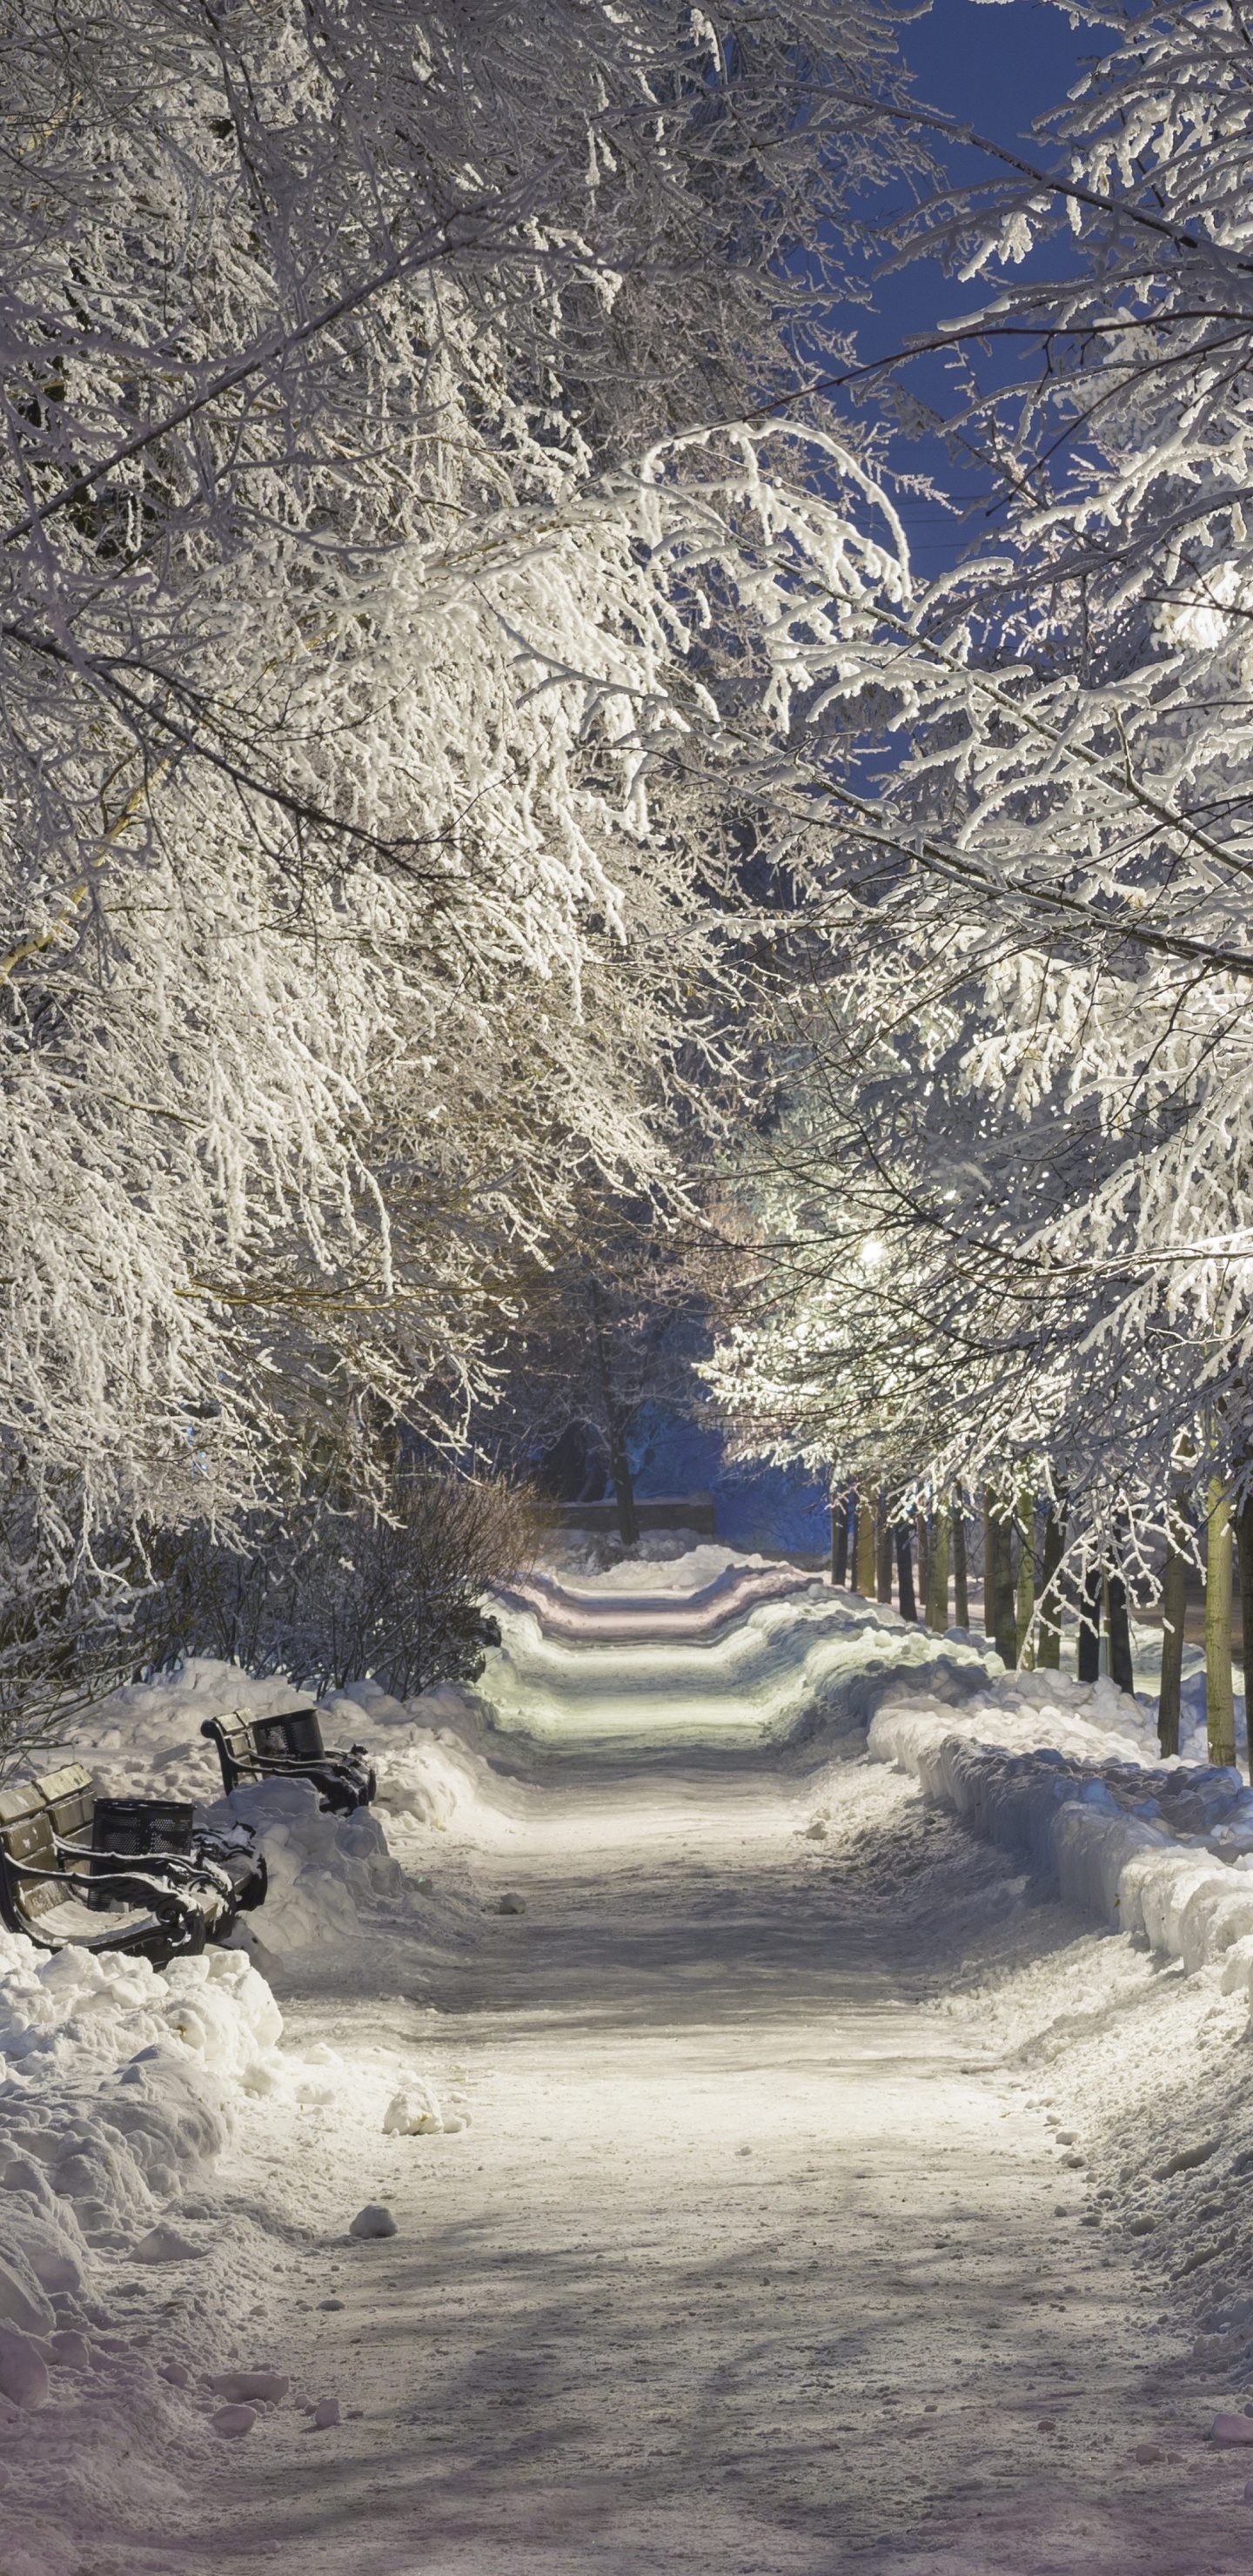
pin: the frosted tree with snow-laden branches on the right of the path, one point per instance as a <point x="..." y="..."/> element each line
<point x="1035" y="923"/>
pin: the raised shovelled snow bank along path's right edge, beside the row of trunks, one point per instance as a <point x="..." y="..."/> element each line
<point x="1156" y="1851"/>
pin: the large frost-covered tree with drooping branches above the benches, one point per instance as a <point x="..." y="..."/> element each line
<point x="355" y="890"/>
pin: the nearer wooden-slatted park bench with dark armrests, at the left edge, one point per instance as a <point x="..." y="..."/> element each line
<point x="117" y="1874"/>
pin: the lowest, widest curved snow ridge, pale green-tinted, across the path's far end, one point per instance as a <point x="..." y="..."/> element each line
<point x="790" y="1671"/>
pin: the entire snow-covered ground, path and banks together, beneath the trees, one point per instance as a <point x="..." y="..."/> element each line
<point x="806" y="2070"/>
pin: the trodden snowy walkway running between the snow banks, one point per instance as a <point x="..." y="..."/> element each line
<point x="746" y="2263"/>
